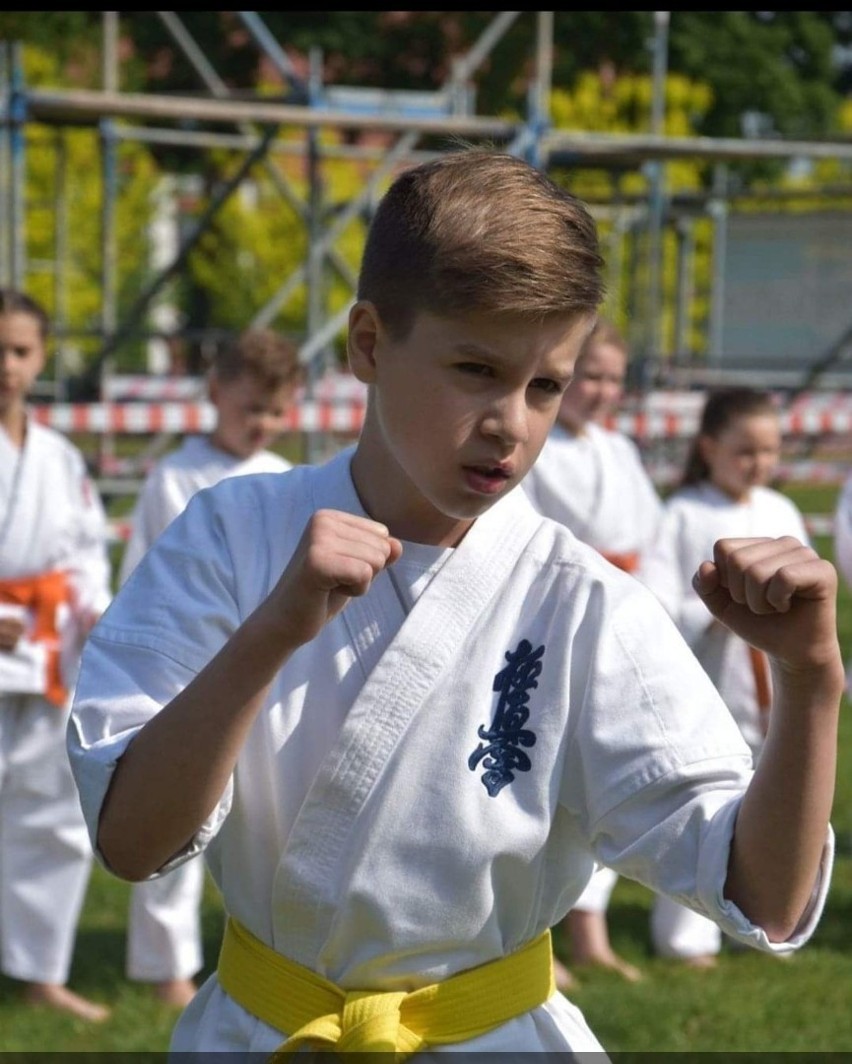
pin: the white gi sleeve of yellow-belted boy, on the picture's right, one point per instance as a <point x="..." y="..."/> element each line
<point x="658" y="769"/>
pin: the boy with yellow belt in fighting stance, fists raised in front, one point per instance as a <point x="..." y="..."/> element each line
<point x="404" y="714"/>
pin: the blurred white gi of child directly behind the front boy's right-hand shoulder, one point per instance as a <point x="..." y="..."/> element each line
<point x="596" y="485"/>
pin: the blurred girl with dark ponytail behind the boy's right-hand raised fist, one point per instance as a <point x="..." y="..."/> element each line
<point x="725" y="492"/>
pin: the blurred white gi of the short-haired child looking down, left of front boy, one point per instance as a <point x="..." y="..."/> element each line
<point x="164" y="925"/>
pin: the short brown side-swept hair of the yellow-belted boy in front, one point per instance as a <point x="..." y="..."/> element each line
<point x="480" y="230"/>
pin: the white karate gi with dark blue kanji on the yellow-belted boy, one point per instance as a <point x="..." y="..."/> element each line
<point x="364" y="833"/>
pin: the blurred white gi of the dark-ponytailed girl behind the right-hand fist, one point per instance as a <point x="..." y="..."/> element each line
<point x="695" y="519"/>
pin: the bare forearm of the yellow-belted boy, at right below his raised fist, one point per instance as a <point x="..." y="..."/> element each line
<point x="782" y="824"/>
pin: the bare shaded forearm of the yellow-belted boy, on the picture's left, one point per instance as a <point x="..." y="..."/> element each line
<point x="176" y="770"/>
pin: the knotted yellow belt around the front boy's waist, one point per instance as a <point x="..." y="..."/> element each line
<point x="319" y="1013"/>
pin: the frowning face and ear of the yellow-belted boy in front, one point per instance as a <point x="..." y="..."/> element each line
<point x="459" y="412"/>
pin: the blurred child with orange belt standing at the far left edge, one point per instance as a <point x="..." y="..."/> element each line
<point x="55" y="581"/>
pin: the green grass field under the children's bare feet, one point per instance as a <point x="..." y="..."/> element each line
<point x="750" y="1003"/>
